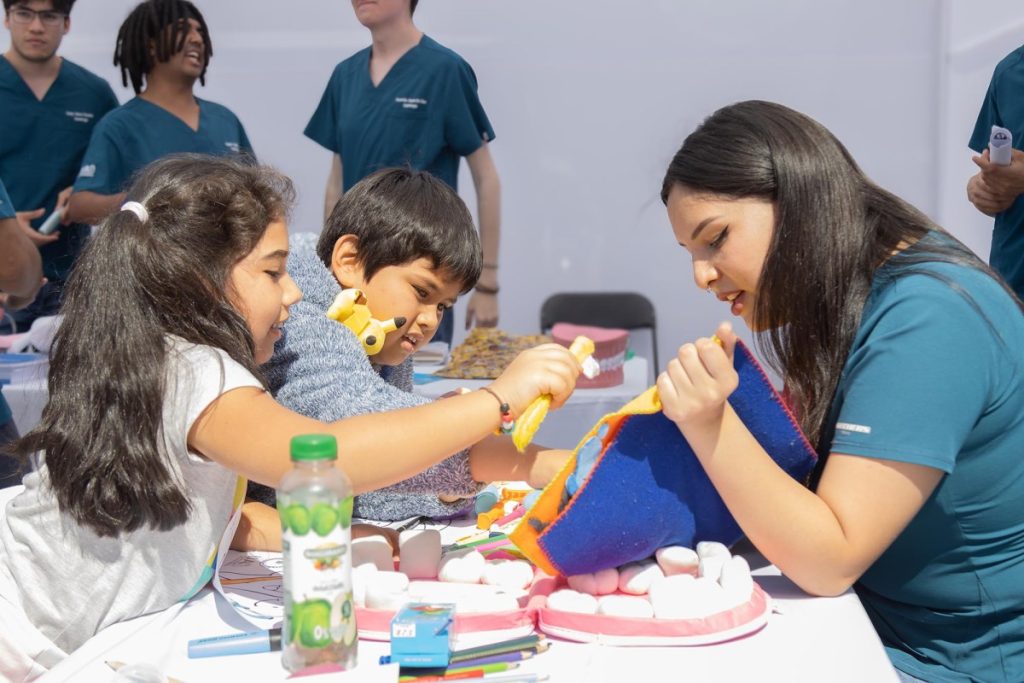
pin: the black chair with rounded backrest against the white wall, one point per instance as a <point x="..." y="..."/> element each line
<point x="629" y="311"/>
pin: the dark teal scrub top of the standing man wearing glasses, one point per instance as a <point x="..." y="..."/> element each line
<point x="41" y="147"/>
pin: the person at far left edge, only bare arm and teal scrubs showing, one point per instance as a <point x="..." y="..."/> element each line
<point x="21" y="277"/>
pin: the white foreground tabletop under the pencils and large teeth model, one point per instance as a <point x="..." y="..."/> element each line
<point x="808" y="639"/>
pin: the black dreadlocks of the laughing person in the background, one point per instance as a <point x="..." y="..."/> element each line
<point x="157" y="29"/>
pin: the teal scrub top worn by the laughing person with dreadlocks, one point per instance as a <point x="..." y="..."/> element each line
<point x="140" y="133"/>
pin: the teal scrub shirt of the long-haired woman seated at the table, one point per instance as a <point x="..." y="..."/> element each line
<point x="937" y="380"/>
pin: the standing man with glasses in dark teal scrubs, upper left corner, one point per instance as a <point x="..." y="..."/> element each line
<point x="49" y="108"/>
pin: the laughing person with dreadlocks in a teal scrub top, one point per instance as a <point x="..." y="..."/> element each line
<point x="162" y="49"/>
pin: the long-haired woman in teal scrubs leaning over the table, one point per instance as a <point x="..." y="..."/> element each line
<point x="902" y="352"/>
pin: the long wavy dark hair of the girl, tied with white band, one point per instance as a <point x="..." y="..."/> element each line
<point x="137" y="284"/>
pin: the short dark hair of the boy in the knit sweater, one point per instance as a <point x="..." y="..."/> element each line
<point x="401" y="216"/>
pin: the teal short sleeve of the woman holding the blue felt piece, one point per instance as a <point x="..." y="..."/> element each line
<point x="914" y="391"/>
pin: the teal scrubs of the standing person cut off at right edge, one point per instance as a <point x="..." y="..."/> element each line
<point x="1004" y="107"/>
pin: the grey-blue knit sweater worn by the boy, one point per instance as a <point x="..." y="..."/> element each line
<point x="320" y="370"/>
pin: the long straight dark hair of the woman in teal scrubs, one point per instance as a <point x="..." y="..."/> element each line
<point x="834" y="228"/>
